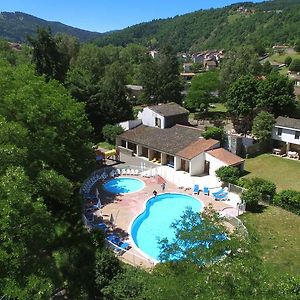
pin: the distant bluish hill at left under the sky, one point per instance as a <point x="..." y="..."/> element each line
<point x="16" y="26"/>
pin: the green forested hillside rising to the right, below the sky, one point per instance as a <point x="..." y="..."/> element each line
<point x="265" y="23"/>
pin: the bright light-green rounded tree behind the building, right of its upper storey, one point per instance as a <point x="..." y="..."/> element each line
<point x="200" y="93"/>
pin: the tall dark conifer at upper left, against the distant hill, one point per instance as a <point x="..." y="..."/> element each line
<point x="49" y="61"/>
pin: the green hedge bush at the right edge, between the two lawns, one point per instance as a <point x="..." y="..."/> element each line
<point x="289" y="200"/>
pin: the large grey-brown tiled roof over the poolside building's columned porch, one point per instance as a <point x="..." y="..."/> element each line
<point x="169" y="140"/>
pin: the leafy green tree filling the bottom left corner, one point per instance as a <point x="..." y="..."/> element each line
<point x="26" y="233"/>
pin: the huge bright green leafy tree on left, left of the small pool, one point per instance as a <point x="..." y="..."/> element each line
<point x="58" y="130"/>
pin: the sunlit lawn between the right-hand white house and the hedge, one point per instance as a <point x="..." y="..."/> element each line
<point x="283" y="172"/>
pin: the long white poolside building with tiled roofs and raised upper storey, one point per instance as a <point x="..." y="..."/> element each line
<point x="161" y="140"/>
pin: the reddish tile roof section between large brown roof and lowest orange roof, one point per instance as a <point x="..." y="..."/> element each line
<point x="197" y="148"/>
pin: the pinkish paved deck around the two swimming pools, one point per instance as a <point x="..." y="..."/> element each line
<point x="123" y="209"/>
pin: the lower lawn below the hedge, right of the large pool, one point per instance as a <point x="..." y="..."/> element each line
<point x="279" y="238"/>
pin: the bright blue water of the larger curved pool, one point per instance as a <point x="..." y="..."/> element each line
<point x="154" y="223"/>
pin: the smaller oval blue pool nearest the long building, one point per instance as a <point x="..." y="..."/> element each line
<point x="124" y="185"/>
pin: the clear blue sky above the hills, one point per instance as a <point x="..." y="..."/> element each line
<point x="105" y="15"/>
